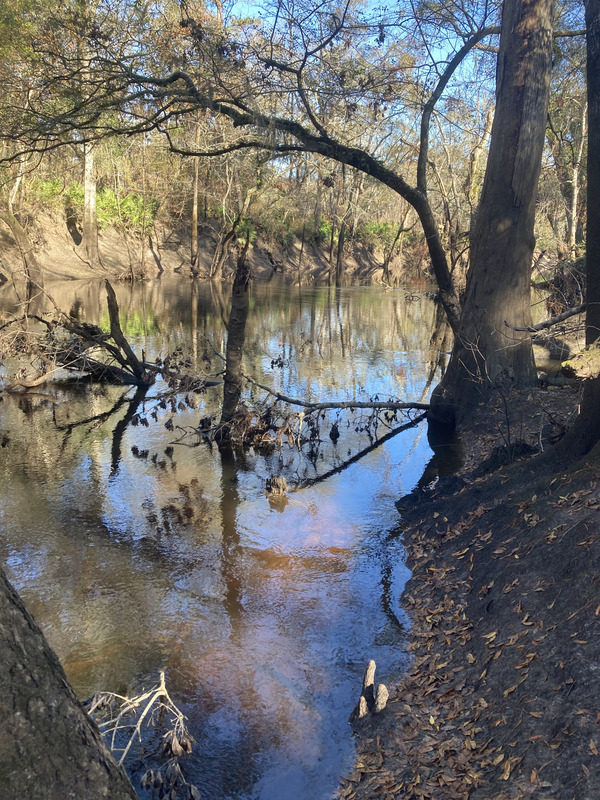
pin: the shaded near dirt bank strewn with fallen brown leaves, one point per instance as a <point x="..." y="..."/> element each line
<point x="501" y="699"/>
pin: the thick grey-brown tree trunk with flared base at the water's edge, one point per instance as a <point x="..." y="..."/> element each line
<point x="487" y="354"/>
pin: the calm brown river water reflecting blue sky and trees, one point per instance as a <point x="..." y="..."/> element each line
<point x="139" y="548"/>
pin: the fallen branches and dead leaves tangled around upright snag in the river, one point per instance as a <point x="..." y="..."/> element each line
<point x="57" y="342"/>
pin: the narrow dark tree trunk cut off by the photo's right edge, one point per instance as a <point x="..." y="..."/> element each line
<point x="585" y="433"/>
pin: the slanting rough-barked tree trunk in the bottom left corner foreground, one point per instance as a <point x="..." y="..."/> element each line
<point x="49" y="747"/>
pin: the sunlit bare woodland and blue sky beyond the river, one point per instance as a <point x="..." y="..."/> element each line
<point x="82" y="154"/>
